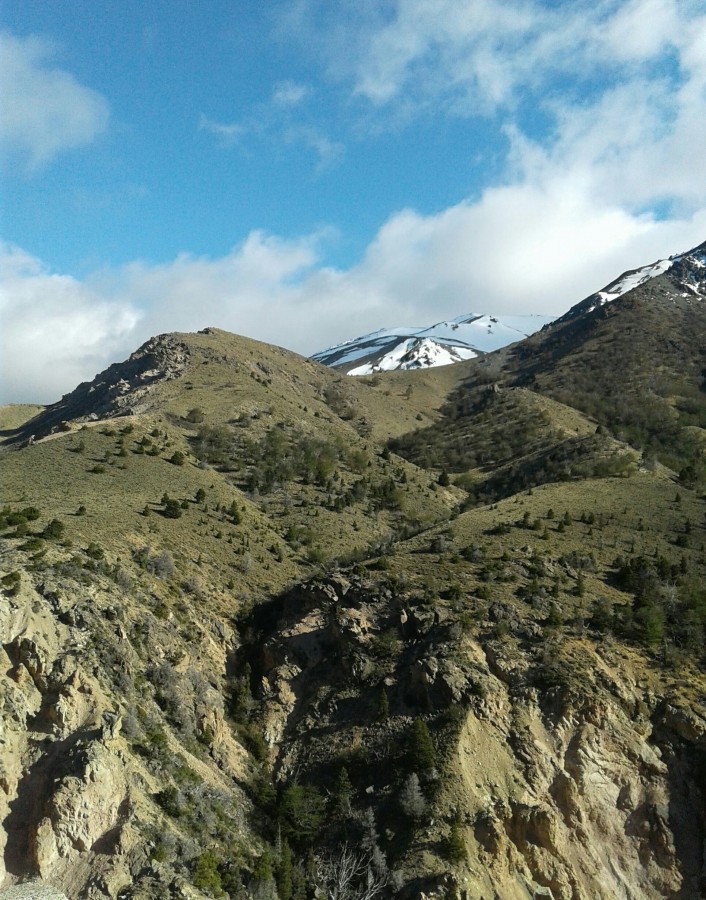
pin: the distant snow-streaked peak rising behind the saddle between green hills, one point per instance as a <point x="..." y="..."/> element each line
<point x="423" y="347"/>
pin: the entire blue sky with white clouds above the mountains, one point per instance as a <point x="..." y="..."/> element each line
<point x="302" y="172"/>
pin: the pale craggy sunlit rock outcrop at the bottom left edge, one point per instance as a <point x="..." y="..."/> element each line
<point x="65" y="795"/>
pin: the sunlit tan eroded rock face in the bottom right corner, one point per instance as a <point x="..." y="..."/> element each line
<point x="582" y="804"/>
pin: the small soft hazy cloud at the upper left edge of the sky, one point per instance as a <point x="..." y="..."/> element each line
<point x="44" y="110"/>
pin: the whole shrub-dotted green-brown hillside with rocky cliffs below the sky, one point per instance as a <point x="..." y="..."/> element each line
<point x="248" y="644"/>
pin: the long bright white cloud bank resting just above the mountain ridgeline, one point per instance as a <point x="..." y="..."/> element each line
<point x="522" y="249"/>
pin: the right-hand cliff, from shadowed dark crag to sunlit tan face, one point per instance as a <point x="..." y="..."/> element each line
<point x="574" y="791"/>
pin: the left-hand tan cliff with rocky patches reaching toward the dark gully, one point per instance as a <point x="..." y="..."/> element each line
<point x="79" y="774"/>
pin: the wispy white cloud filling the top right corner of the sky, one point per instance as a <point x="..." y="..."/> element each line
<point x="607" y="78"/>
